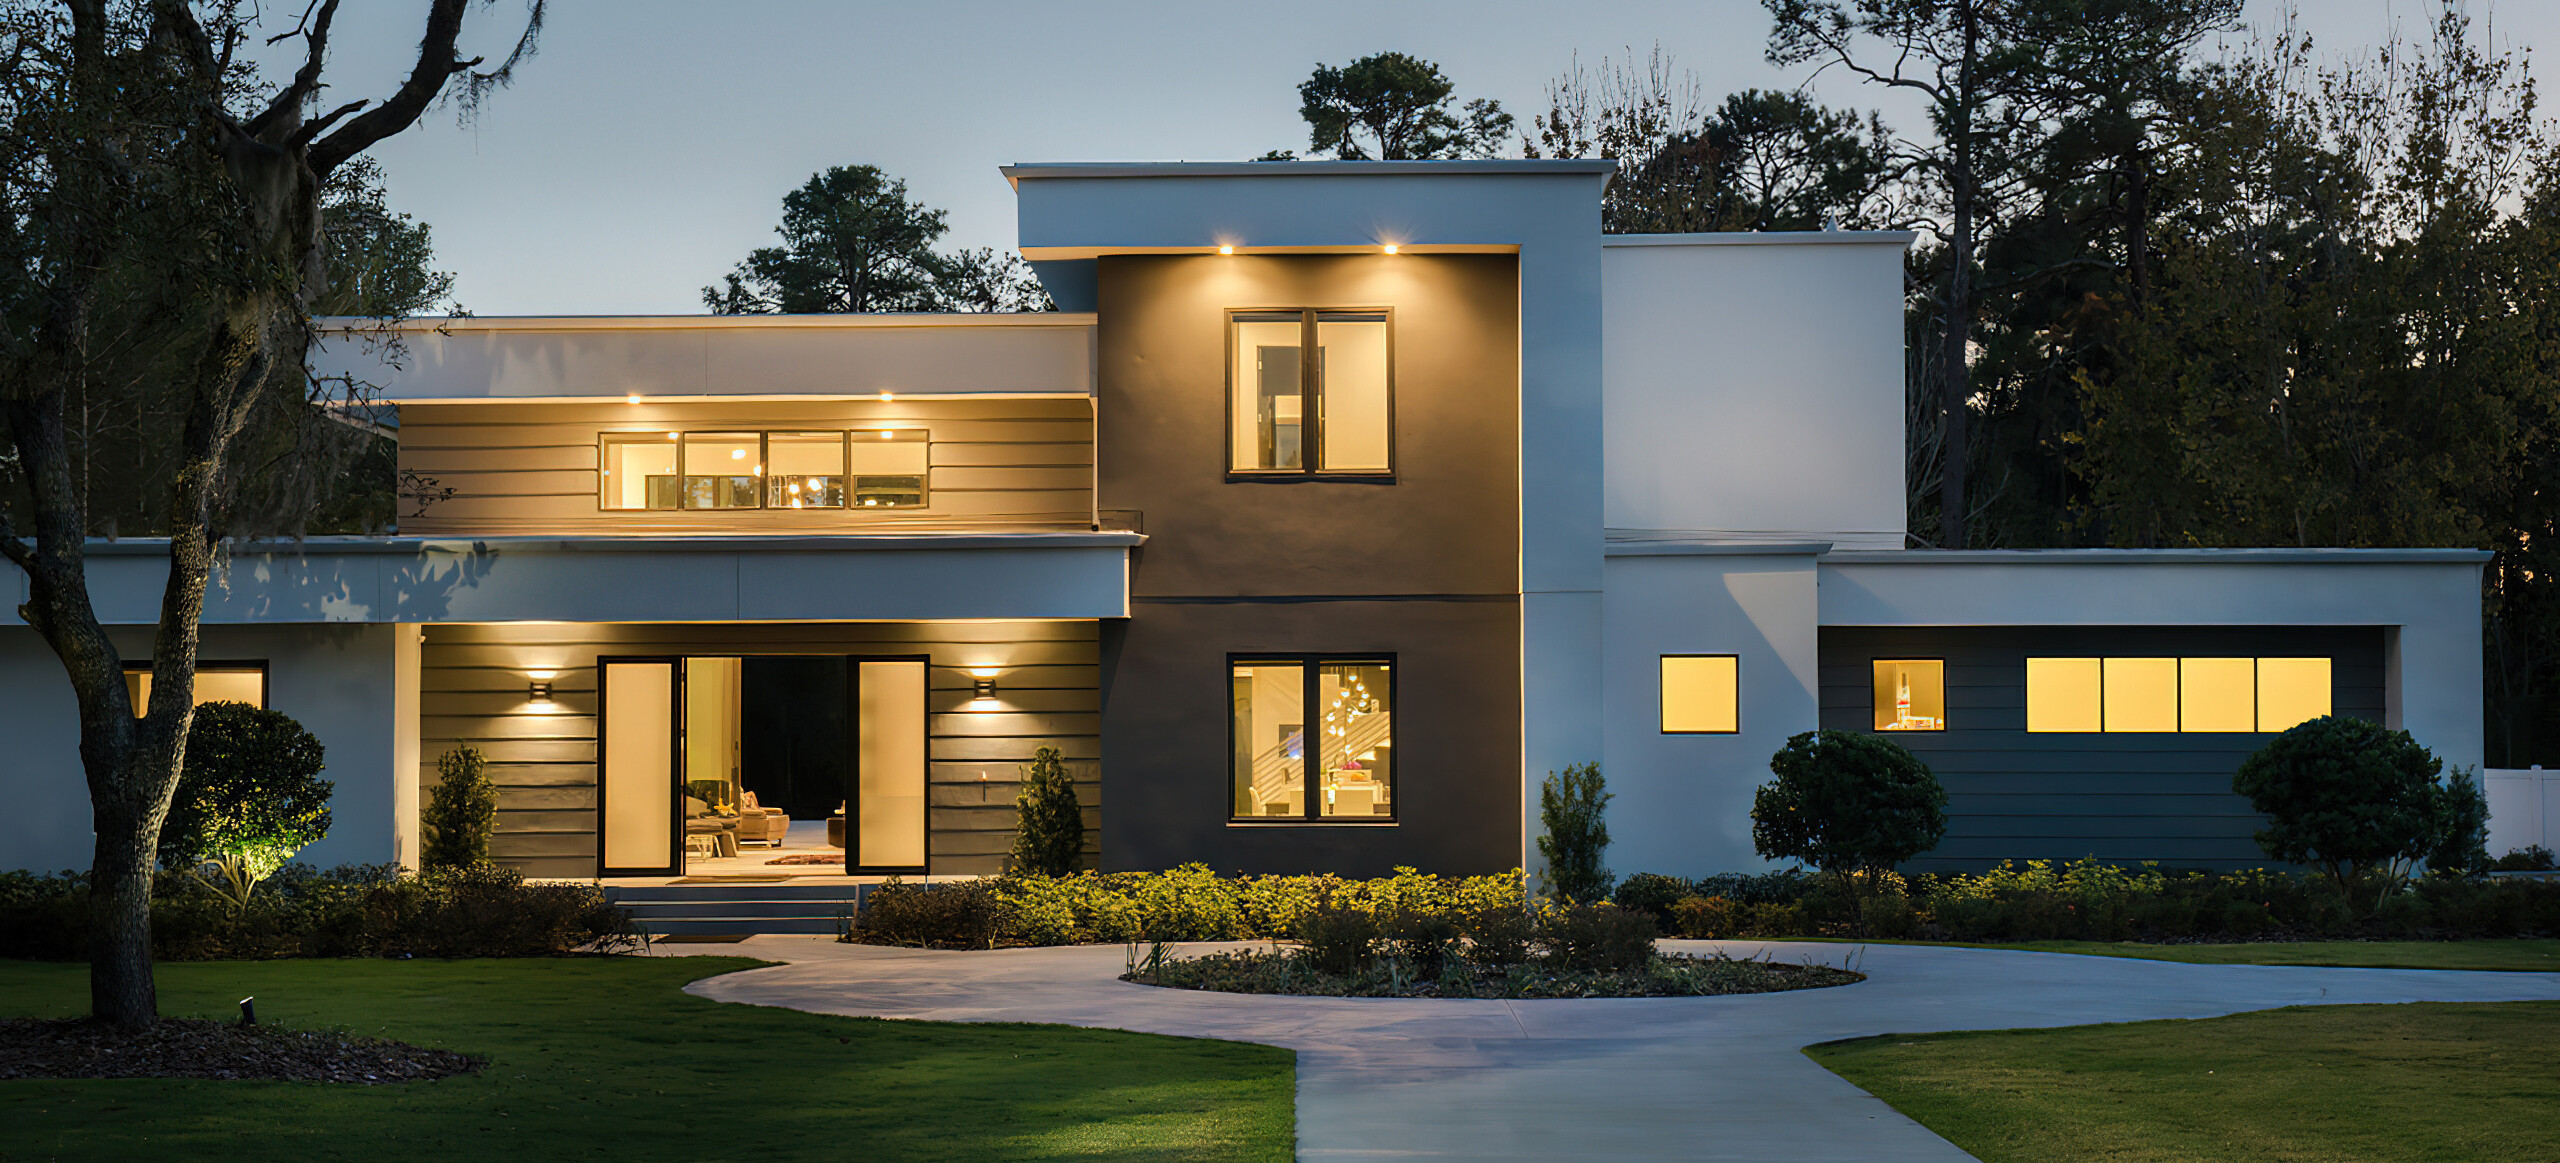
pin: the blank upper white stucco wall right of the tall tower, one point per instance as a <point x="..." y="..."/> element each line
<point x="1755" y="386"/>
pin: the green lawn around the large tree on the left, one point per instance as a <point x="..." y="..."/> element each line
<point x="611" y="1059"/>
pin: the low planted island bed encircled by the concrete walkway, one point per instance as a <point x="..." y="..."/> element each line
<point x="1676" y="975"/>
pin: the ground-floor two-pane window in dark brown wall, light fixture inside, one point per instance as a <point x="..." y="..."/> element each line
<point x="1312" y="739"/>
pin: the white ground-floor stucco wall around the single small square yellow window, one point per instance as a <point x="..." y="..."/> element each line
<point x="1686" y="801"/>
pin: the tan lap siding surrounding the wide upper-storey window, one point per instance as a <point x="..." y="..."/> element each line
<point x="534" y="468"/>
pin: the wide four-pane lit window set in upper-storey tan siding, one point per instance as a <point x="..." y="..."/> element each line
<point x="797" y="470"/>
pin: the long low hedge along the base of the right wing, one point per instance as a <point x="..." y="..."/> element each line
<point x="2093" y="900"/>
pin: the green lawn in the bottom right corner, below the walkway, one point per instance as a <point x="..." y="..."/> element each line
<point x="2305" y="1085"/>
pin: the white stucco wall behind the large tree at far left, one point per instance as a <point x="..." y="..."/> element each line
<point x="337" y="680"/>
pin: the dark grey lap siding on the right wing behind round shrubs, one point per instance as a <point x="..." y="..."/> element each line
<point x="2067" y="795"/>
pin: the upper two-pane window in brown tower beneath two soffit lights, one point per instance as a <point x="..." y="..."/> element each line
<point x="1309" y="393"/>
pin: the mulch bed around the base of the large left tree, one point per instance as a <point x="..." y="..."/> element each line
<point x="196" y="1049"/>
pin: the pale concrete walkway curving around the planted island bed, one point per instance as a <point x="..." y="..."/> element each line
<point x="1604" y="1080"/>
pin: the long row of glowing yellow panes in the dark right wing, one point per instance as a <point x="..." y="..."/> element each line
<point x="2175" y="695"/>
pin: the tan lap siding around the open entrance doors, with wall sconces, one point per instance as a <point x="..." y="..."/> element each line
<point x="544" y="762"/>
